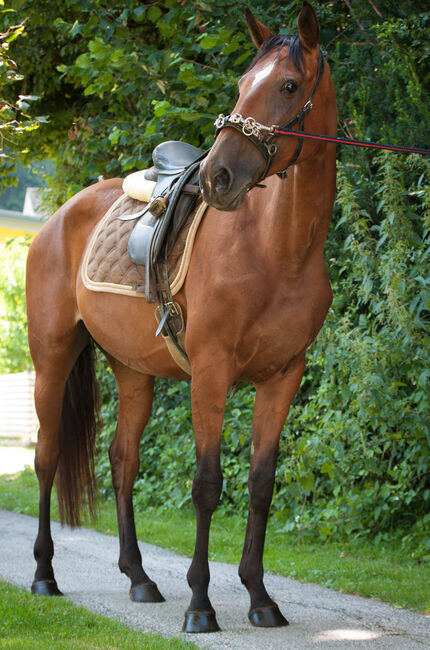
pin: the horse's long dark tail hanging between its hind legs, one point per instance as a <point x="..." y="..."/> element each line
<point x="75" y="480"/>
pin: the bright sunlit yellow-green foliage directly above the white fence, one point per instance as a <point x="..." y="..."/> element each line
<point x="14" y="353"/>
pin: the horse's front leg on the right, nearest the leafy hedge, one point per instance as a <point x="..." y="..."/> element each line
<point x="272" y="401"/>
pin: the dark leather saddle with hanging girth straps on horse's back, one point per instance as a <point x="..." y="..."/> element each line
<point x="171" y="189"/>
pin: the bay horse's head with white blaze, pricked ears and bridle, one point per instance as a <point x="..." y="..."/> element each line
<point x="277" y="89"/>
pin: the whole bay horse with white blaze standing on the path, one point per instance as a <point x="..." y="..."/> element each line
<point x="255" y="297"/>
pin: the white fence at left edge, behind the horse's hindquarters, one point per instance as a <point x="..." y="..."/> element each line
<point x="18" y="417"/>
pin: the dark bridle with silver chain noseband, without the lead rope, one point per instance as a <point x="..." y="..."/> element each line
<point x="263" y="136"/>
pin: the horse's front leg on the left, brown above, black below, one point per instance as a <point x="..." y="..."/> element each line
<point x="208" y="395"/>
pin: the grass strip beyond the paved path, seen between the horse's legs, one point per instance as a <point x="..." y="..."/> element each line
<point x="376" y="571"/>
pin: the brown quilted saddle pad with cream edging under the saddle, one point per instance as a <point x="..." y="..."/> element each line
<point x="107" y="266"/>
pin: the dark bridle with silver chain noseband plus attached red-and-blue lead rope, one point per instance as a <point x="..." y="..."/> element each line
<point x="263" y="136"/>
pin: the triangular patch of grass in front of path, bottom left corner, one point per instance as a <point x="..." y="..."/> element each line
<point x="38" y="623"/>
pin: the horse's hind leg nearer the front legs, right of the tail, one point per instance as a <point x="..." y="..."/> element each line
<point x="135" y="402"/>
